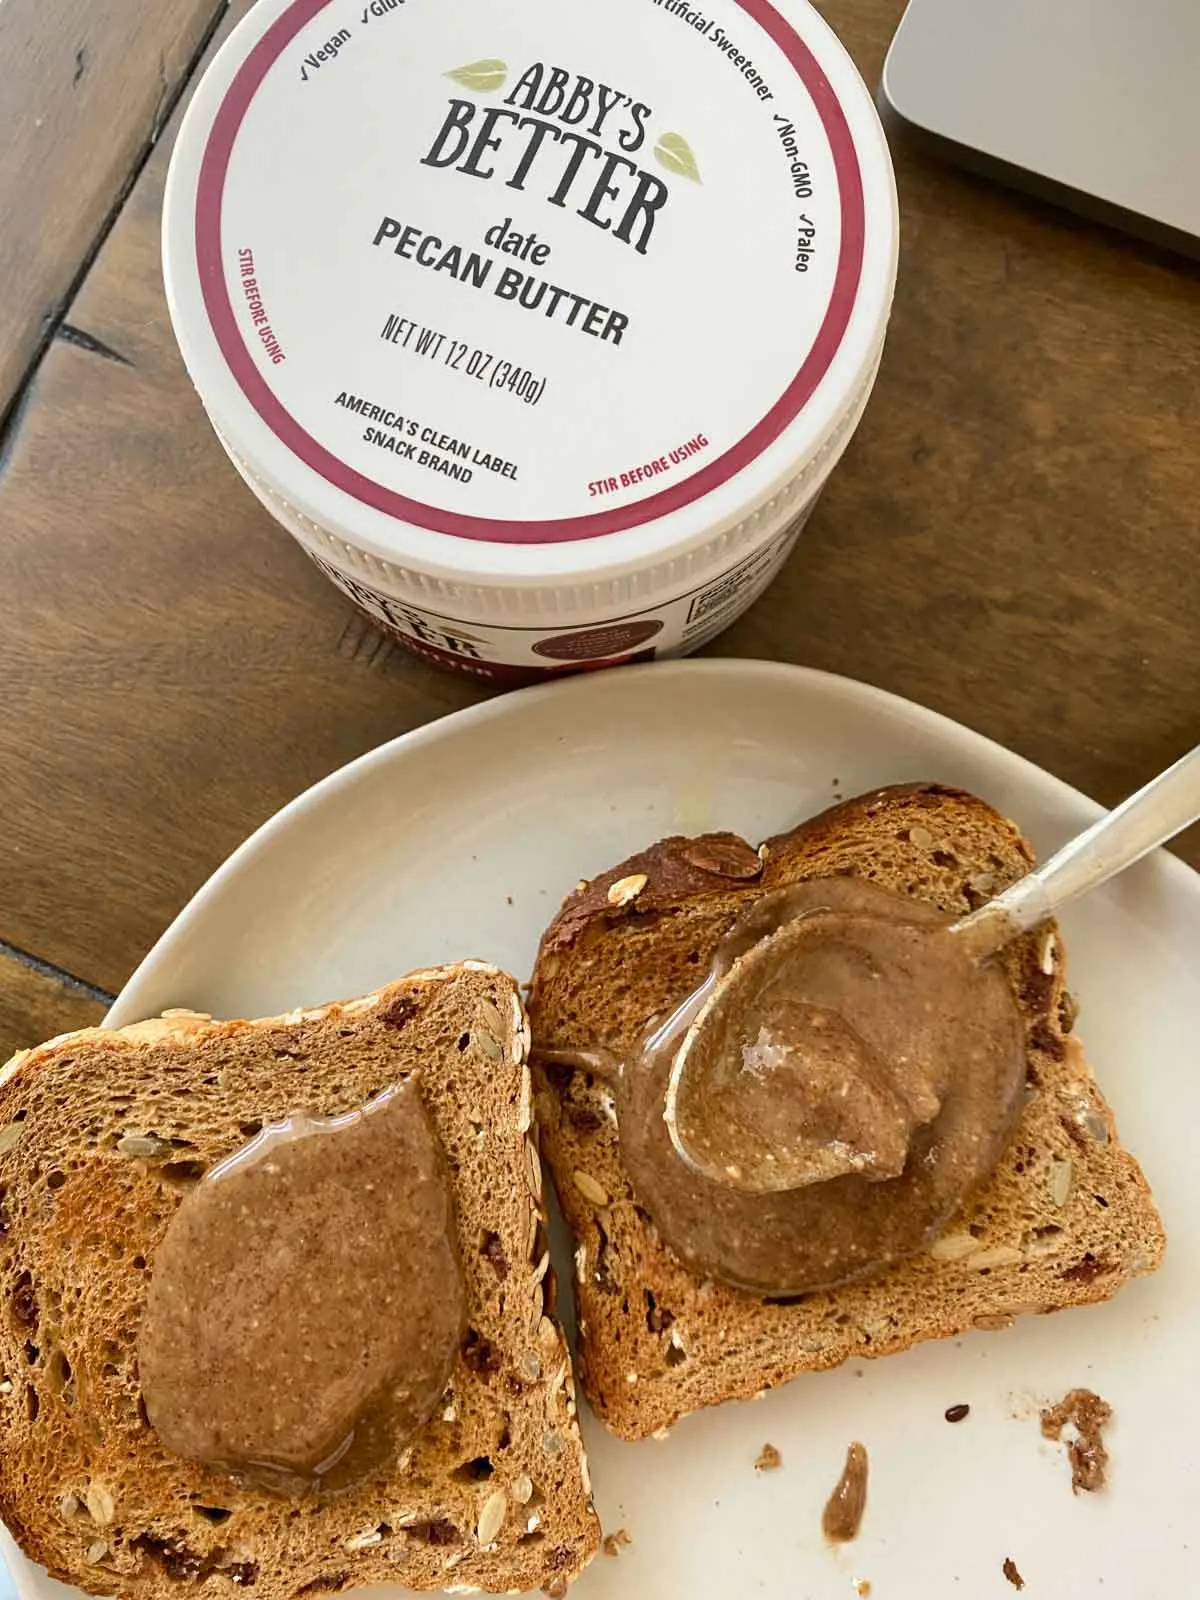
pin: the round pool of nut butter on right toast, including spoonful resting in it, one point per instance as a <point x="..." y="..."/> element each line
<point x="858" y="1044"/>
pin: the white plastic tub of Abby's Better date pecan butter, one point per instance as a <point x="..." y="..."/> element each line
<point x="540" y="327"/>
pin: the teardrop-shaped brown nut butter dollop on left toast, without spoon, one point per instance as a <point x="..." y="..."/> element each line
<point x="308" y="1303"/>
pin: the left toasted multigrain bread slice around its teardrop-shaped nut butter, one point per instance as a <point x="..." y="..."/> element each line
<point x="102" y="1134"/>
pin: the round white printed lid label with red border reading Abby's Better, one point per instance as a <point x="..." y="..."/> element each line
<point x="527" y="273"/>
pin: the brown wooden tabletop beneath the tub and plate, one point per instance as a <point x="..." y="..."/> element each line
<point x="1010" y="540"/>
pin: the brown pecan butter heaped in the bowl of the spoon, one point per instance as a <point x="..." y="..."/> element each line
<point x="778" y="1081"/>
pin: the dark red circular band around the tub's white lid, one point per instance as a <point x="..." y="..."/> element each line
<point x="215" y="292"/>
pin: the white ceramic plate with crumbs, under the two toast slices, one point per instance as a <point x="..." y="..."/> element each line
<point x="462" y="839"/>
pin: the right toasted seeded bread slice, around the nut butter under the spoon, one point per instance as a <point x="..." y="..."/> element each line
<point x="1066" y="1218"/>
